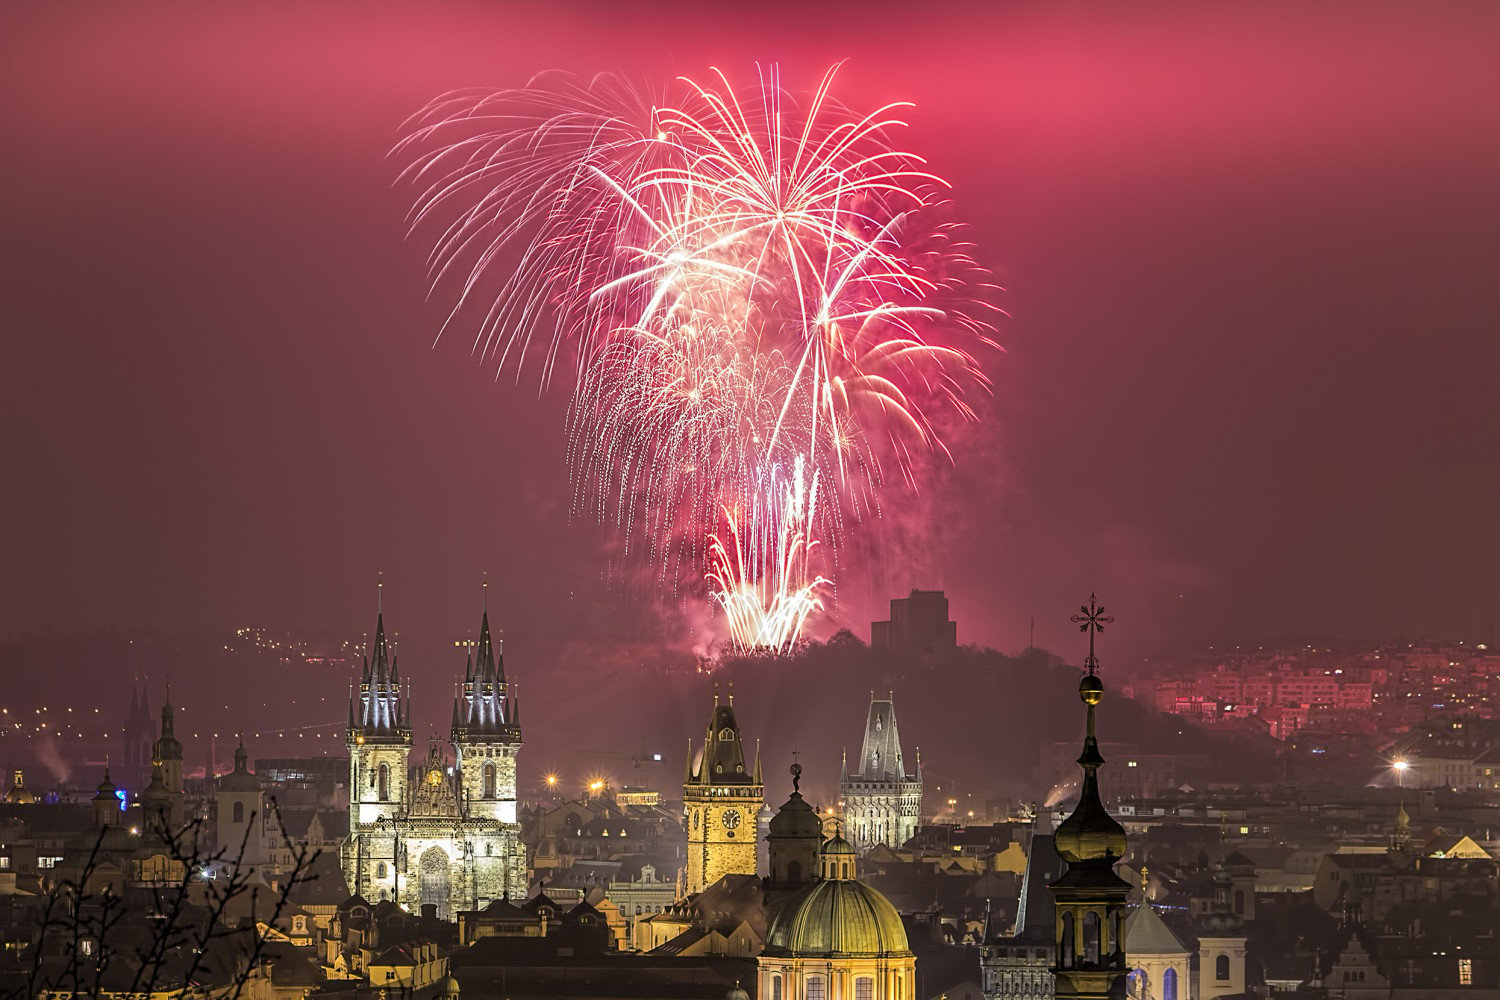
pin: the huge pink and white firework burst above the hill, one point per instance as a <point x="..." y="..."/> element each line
<point x="760" y="299"/>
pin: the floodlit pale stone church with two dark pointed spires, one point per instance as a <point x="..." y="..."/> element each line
<point x="442" y="831"/>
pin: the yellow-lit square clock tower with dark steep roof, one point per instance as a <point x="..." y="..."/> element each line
<point x="721" y="797"/>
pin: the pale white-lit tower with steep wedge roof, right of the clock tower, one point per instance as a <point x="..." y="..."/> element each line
<point x="881" y="803"/>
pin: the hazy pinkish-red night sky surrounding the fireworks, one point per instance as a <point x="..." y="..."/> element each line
<point x="1249" y="388"/>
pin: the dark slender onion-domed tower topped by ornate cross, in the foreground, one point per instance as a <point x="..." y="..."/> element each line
<point x="1090" y="896"/>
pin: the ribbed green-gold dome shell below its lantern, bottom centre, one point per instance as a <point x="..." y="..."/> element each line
<point x="838" y="918"/>
